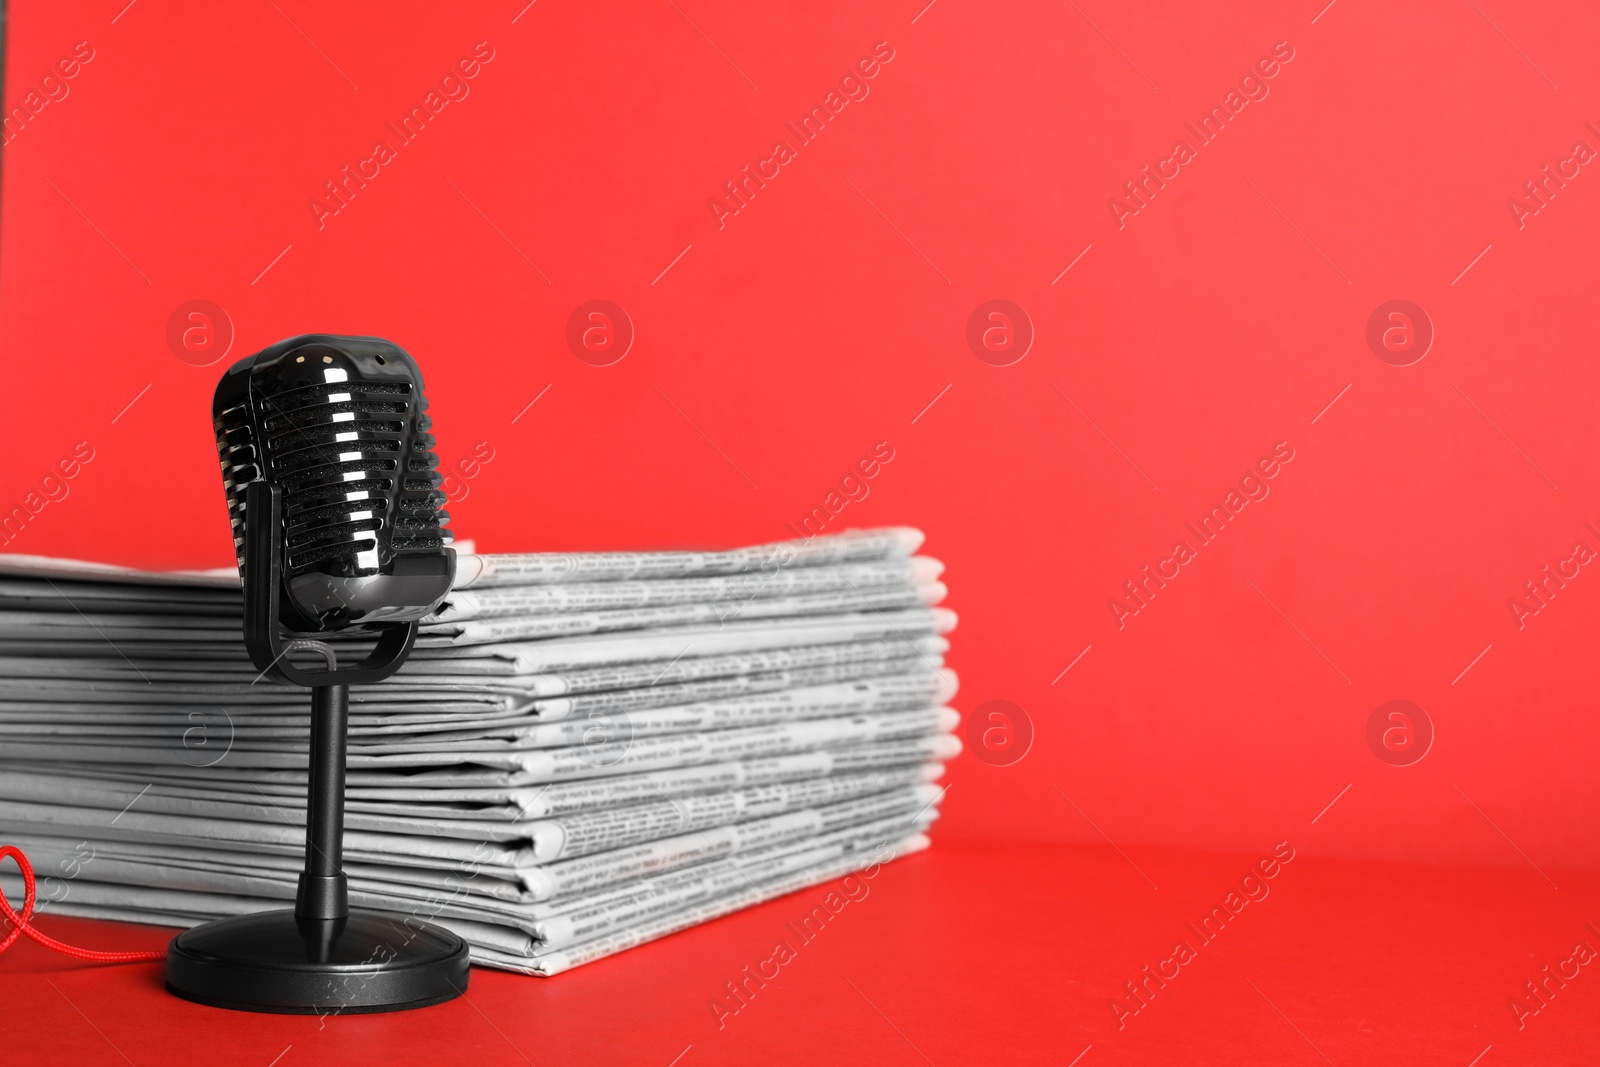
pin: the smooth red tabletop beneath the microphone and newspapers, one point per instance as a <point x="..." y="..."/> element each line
<point x="969" y="954"/>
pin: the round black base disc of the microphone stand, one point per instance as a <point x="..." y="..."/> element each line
<point x="326" y="967"/>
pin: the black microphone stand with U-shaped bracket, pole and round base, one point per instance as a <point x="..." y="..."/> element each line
<point x="321" y="957"/>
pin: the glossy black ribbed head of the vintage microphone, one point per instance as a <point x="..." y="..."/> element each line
<point x="340" y="426"/>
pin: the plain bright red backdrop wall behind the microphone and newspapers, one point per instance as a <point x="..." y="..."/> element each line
<point x="828" y="314"/>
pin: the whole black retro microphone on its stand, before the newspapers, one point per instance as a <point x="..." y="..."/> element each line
<point x="334" y="495"/>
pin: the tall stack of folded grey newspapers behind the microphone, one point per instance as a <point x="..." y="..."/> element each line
<point x="585" y="753"/>
